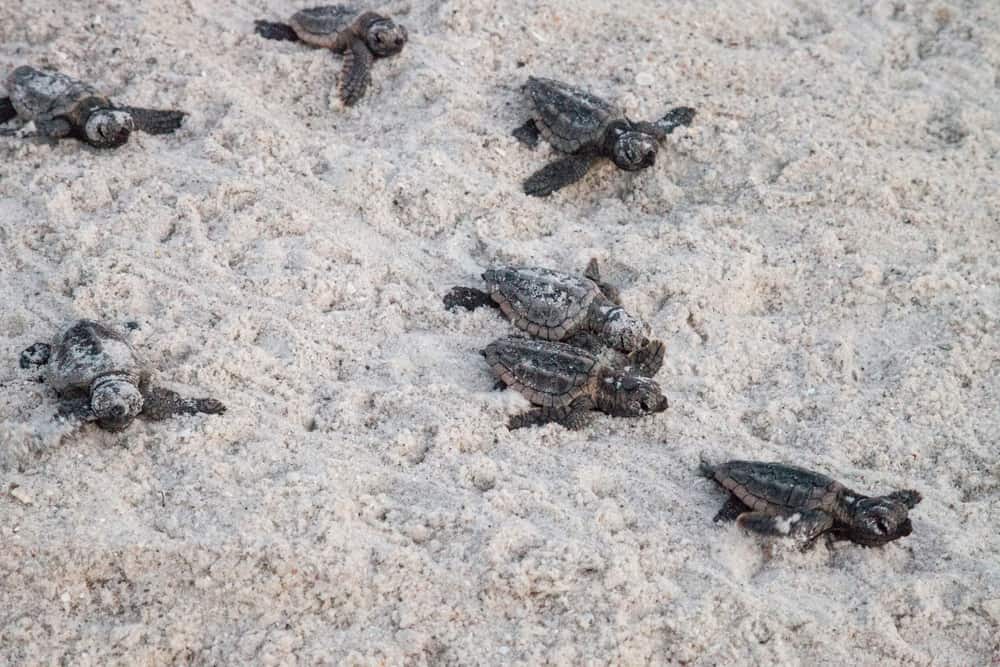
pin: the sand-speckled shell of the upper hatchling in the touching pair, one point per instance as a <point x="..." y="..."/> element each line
<point x="545" y="303"/>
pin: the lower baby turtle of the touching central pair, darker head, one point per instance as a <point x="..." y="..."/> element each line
<point x="567" y="382"/>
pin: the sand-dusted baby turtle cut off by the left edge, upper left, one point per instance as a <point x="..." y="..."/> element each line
<point x="60" y="107"/>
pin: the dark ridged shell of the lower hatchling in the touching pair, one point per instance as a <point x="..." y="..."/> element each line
<point x="547" y="373"/>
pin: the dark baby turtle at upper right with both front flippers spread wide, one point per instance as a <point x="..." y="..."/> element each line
<point x="587" y="128"/>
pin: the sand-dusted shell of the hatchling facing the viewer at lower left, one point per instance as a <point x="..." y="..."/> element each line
<point x="88" y="350"/>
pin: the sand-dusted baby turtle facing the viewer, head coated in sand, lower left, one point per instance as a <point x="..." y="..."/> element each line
<point x="99" y="377"/>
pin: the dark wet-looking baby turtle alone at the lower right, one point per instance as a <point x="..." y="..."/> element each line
<point x="778" y="499"/>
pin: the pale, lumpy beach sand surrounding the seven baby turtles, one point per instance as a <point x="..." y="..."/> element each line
<point x="819" y="251"/>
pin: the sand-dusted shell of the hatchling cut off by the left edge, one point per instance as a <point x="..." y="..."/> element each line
<point x="40" y="95"/>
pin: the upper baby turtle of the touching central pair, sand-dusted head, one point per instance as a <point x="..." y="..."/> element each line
<point x="552" y="305"/>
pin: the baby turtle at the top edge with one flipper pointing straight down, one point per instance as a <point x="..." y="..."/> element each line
<point x="360" y="37"/>
